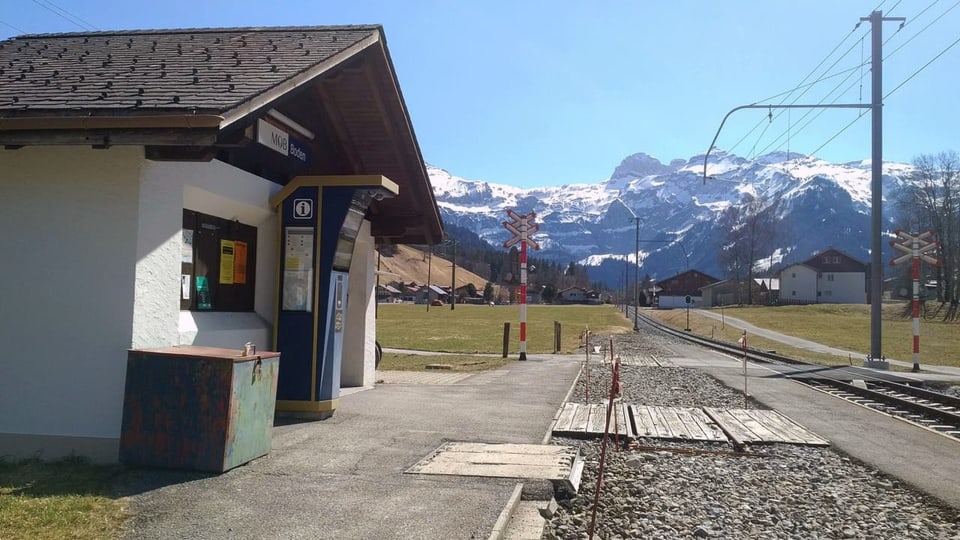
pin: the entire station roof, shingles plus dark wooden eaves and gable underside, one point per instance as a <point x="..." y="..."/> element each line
<point x="197" y="94"/>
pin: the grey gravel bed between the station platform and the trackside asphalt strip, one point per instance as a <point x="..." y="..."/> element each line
<point x="676" y="489"/>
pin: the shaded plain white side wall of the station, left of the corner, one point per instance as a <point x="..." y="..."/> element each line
<point x="69" y="226"/>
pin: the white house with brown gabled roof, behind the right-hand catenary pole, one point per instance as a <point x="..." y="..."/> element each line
<point x="830" y="277"/>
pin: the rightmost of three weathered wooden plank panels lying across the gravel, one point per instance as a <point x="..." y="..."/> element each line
<point x="756" y="426"/>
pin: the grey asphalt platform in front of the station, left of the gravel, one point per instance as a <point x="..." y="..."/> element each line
<point x="344" y="477"/>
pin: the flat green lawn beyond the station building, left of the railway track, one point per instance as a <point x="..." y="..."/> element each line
<point x="471" y="329"/>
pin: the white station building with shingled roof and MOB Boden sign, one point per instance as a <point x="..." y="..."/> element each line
<point x="144" y="178"/>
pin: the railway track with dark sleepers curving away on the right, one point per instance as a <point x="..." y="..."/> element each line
<point x="926" y="408"/>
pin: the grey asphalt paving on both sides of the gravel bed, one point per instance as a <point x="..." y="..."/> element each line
<point x="344" y="477"/>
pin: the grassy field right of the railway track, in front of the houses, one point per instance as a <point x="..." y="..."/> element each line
<point x="837" y="325"/>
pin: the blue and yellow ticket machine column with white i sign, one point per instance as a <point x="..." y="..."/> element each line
<point x="320" y="217"/>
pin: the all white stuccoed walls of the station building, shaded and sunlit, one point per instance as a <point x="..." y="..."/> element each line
<point x="91" y="248"/>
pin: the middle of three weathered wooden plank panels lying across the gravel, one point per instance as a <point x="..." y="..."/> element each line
<point x="675" y="423"/>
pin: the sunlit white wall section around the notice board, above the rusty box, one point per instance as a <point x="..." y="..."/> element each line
<point x="220" y="190"/>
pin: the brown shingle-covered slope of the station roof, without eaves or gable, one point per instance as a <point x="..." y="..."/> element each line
<point x="161" y="71"/>
